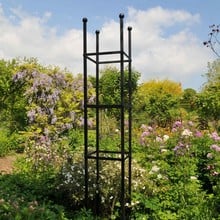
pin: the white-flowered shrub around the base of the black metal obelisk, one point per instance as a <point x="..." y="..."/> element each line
<point x="72" y="180"/>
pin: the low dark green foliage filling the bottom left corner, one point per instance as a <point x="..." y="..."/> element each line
<point x="19" y="200"/>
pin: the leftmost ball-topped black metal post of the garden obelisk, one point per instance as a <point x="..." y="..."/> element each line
<point x="85" y="108"/>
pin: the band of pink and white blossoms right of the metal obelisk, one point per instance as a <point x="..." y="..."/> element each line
<point x="181" y="142"/>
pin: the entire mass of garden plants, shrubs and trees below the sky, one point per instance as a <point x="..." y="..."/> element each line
<point x="175" y="146"/>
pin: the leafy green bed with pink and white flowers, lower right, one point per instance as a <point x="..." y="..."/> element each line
<point x="184" y="170"/>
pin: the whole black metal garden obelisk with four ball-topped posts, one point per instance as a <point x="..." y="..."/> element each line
<point x="99" y="154"/>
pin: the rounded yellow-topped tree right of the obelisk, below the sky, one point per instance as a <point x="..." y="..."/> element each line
<point x="157" y="102"/>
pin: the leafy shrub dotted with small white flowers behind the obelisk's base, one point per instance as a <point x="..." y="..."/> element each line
<point x="71" y="184"/>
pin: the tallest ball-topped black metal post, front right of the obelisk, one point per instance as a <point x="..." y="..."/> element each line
<point x="121" y="16"/>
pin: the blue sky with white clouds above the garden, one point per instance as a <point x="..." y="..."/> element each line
<point x="167" y="35"/>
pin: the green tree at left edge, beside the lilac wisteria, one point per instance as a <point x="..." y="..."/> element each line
<point x="12" y="102"/>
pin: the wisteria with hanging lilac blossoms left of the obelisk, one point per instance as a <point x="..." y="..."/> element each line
<point x="53" y="108"/>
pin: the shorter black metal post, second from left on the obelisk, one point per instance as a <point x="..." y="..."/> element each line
<point x="97" y="124"/>
